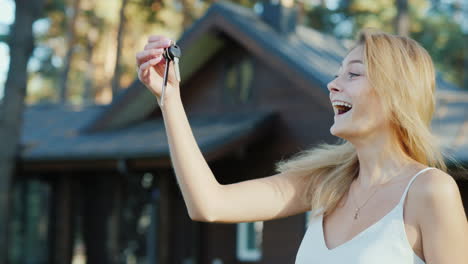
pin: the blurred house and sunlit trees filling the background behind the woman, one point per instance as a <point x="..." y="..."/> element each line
<point x="81" y="182"/>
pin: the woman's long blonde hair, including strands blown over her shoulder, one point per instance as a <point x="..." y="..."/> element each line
<point x="407" y="92"/>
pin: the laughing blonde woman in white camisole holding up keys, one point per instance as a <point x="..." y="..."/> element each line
<point x="382" y="196"/>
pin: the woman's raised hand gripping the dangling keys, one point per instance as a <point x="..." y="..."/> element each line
<point x="151" y="65"/>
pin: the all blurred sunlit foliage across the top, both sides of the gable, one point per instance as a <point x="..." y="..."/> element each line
<point x="432" y="25"/>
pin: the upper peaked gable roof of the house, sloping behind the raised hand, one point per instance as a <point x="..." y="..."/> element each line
<point x="305" y="57"/>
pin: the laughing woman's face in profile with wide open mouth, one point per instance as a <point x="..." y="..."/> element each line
<point x="358" y="111"/>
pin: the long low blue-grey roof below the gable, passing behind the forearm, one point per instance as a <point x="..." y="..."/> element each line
<point x="51" y="133"/>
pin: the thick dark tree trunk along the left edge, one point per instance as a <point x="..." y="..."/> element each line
<point x="21" y="44"/>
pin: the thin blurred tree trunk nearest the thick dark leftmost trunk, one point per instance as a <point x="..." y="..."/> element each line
<point x="71" y="39"/>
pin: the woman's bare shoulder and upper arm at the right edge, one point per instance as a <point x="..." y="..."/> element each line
<point x="441" y="217"/>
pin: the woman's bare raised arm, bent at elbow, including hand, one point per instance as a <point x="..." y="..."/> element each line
<point x="206" y="200"/>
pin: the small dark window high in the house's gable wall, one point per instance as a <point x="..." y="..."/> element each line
<point x="238" y="80"/>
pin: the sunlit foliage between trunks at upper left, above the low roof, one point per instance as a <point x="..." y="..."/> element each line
<point x="95" y="44"/>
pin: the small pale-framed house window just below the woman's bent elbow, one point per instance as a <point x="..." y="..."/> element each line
<point x="249" y="241"/>
